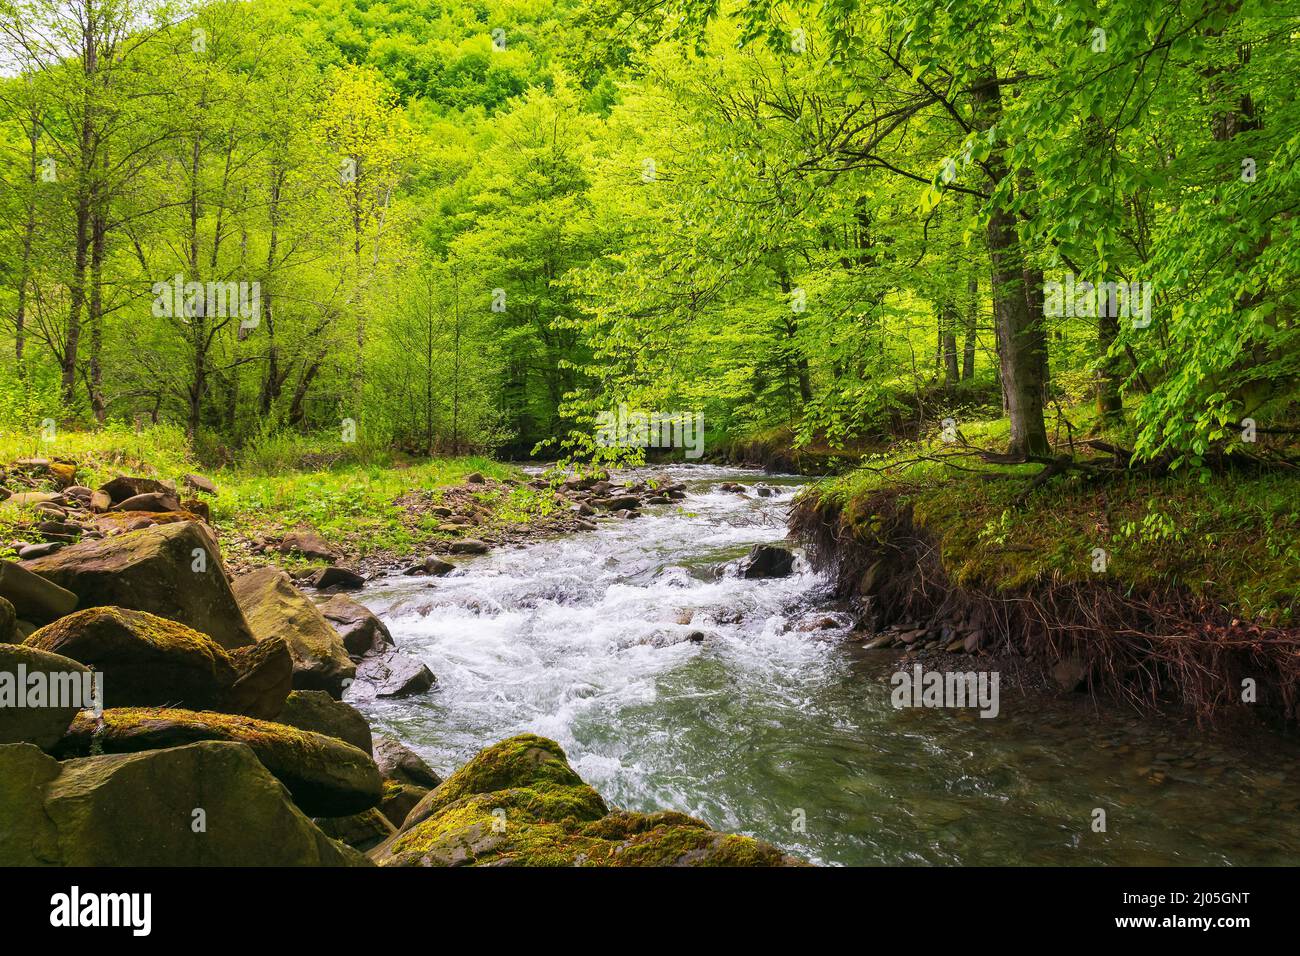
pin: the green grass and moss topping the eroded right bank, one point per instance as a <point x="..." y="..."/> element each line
<point x="1233" y="538"/>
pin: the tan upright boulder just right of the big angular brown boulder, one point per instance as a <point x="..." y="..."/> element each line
<point x="275" y="608"/>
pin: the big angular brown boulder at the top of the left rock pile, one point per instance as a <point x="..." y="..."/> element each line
<point x="171" y="570"/>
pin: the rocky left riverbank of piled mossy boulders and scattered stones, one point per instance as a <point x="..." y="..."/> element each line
<point x="223" y="713"/>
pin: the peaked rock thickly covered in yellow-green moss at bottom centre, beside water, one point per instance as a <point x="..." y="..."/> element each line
<point x="521" y="804"/>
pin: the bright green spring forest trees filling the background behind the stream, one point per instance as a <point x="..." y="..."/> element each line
<point x="461" y="226"/>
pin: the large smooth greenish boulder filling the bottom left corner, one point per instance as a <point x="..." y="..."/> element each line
<point x="209" y="804"/>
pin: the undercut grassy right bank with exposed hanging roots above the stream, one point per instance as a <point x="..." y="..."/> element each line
<point x="1158" y="586"/>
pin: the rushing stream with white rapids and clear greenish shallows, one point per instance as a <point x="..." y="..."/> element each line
<point x="733" y="700"/>
